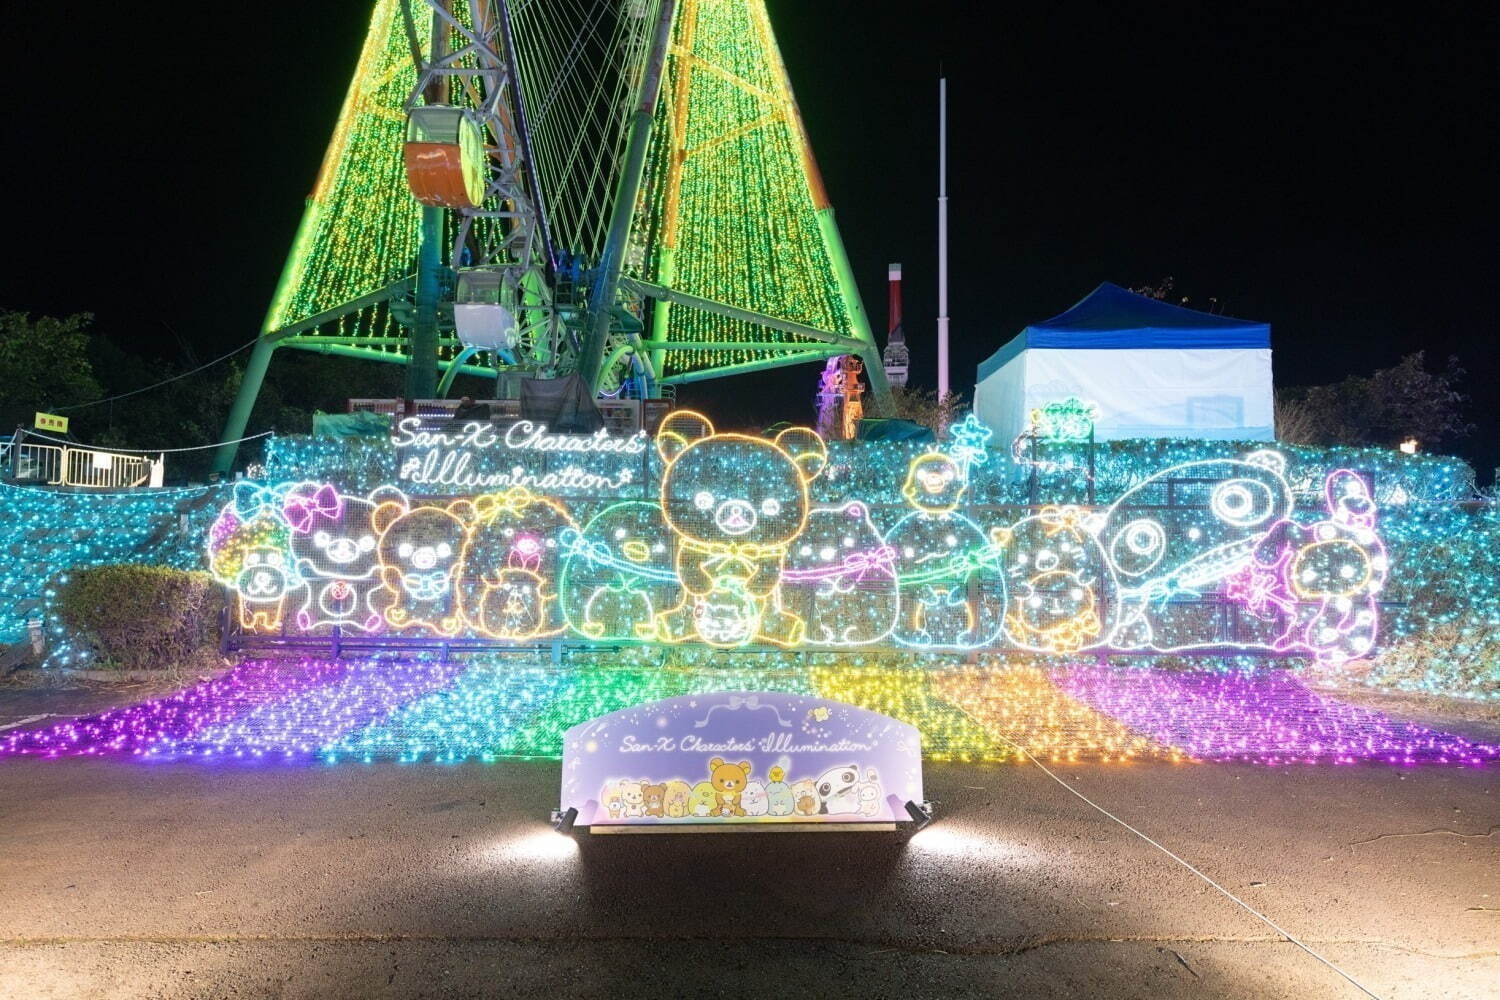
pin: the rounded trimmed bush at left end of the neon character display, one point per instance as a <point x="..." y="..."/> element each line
<point x="142" y="618"/>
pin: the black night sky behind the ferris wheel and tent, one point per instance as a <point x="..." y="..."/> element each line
<point x="1330" y="173"/>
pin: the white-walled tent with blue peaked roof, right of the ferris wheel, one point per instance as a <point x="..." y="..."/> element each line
<point x="1151" y="370"/>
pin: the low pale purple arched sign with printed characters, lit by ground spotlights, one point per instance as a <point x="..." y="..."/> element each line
<point x="742" y="758"/>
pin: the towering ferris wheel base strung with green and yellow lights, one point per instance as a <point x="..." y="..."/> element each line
<point x="614" y="190"/>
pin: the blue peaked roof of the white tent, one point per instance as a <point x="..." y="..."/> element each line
<point x="1114" y="319"/>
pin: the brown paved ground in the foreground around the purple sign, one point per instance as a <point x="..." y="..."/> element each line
<point x="373" y="881"/>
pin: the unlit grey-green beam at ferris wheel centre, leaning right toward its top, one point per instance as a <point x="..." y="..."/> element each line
<point x="613" y="260"/>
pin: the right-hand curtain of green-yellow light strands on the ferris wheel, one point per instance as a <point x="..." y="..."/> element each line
<point x="746" y="220"/>
